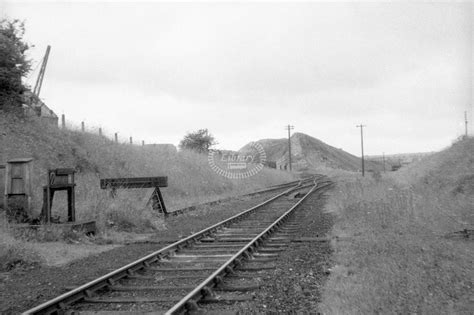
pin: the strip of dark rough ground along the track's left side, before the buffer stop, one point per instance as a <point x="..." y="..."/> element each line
<point x="27" y="286"/>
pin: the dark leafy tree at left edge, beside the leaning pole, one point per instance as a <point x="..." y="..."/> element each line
<point x="14" y="64"/>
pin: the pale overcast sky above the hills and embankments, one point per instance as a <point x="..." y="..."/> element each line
<point x="155" y="70"/>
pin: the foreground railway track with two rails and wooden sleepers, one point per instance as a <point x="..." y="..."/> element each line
<point x="215" y="265"/>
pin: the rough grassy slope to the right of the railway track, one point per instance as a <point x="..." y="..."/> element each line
<point x="392" y="254"/>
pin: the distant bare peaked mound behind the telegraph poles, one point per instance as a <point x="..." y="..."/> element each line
<point x="309" y="153"/>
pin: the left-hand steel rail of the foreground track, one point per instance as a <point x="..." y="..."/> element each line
<point x="85" y="290"/>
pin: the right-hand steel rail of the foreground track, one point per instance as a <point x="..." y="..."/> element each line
<point x="202" y="290"/>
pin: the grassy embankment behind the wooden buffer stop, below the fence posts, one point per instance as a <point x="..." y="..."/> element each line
<point x="191" y="180"/>
